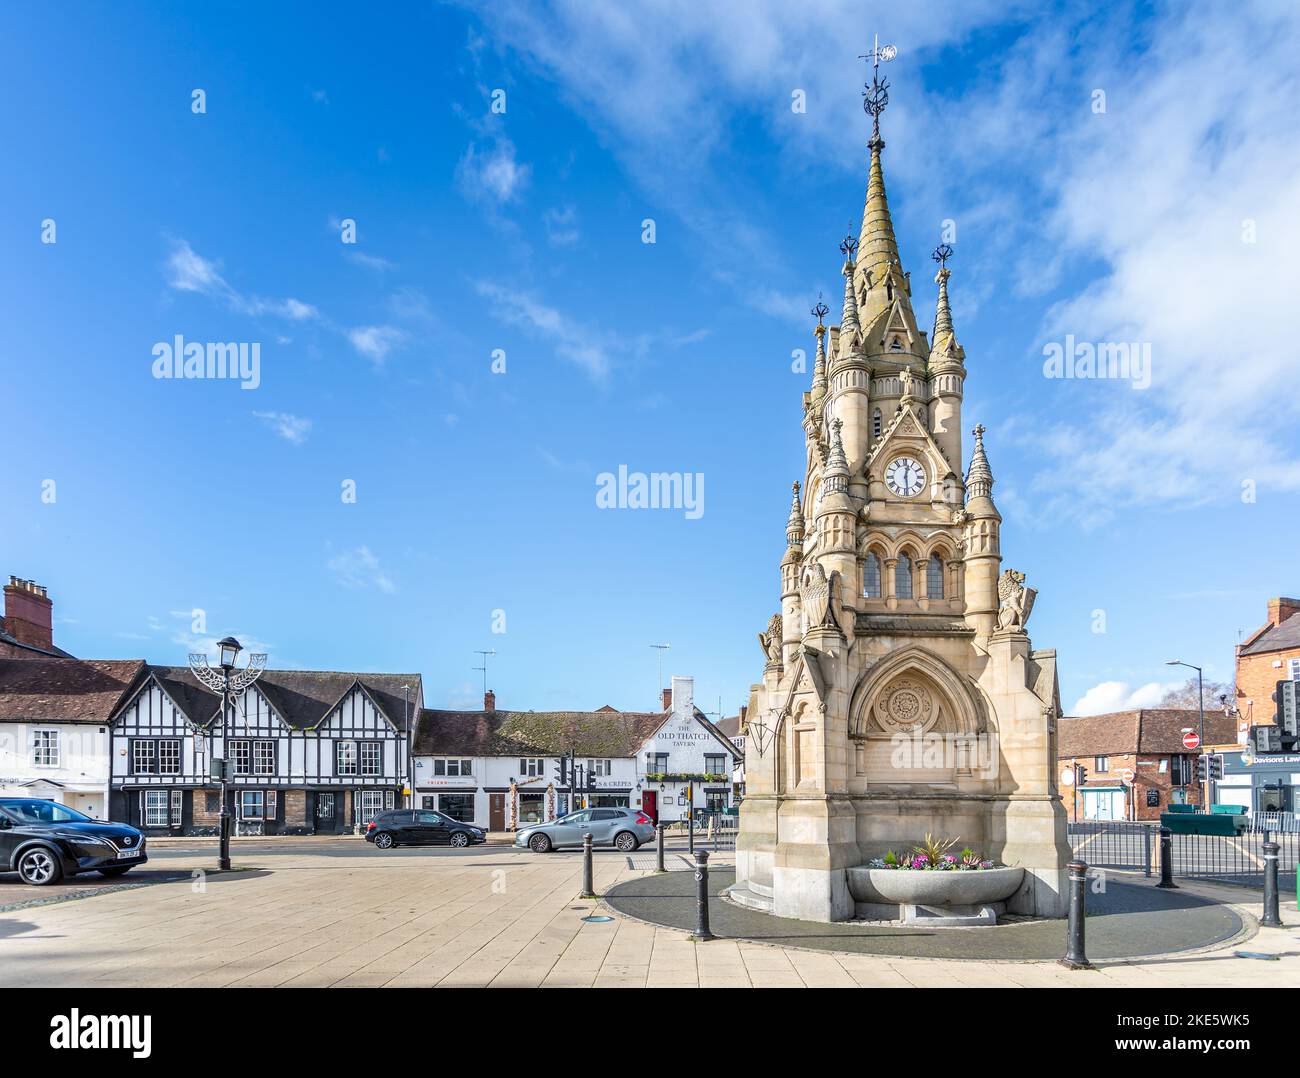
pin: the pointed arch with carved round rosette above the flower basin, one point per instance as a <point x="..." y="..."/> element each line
<point x="915" y="686"/>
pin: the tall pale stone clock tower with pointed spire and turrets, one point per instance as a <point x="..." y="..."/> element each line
<point x="902" y="694"/>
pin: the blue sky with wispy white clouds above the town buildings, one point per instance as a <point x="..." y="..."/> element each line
<point x="1168" y="218"/>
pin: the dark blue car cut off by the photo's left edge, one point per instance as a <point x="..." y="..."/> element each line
<point x="45" y="842"/>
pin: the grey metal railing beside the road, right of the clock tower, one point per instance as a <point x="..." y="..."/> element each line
<point x="1220" y="859"/>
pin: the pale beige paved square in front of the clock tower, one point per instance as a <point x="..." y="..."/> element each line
<point x="337" y="914"/>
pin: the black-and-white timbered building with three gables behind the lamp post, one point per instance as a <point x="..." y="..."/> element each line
<point x="311" y="752"/>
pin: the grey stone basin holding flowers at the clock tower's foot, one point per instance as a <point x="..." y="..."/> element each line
<point x="942" y="899"/>
